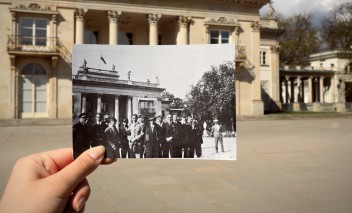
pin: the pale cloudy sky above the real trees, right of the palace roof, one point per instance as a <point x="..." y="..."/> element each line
<point x="319" y="8"/>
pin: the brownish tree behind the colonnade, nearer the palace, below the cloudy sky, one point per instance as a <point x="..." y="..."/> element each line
<point x="299" y="40"/>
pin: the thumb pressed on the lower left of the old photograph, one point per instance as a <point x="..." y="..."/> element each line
<point x="70" y="176"/>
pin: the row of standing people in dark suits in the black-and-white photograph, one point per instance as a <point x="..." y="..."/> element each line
<point x="176" y="137"/>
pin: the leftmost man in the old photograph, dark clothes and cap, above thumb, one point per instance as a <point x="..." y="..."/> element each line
<point x="81" y="135"/>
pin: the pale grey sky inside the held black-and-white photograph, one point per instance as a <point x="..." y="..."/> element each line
<point x="177" y="66"/>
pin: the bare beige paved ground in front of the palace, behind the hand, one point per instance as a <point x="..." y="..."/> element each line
<point x="284" y="166"/>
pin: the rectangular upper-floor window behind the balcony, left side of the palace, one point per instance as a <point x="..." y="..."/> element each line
<point x="33" y="31"/>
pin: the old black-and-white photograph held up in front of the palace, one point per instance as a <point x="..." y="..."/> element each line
<point x="145" y="101"/>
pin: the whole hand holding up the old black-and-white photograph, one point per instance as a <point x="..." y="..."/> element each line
<point x="51" y="181"/>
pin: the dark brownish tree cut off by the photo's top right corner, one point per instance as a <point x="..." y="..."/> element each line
<point x="336" y="27"/>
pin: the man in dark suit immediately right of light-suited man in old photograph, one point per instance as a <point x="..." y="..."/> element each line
<point x="151" y="139"/>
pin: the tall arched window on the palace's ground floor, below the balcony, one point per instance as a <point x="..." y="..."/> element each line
<point x="32" y="100"/>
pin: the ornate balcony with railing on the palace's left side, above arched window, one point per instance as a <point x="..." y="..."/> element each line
<point x="29" y="45"/>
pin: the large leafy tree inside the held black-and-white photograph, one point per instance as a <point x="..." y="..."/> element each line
<point x="214" y="96"/>
